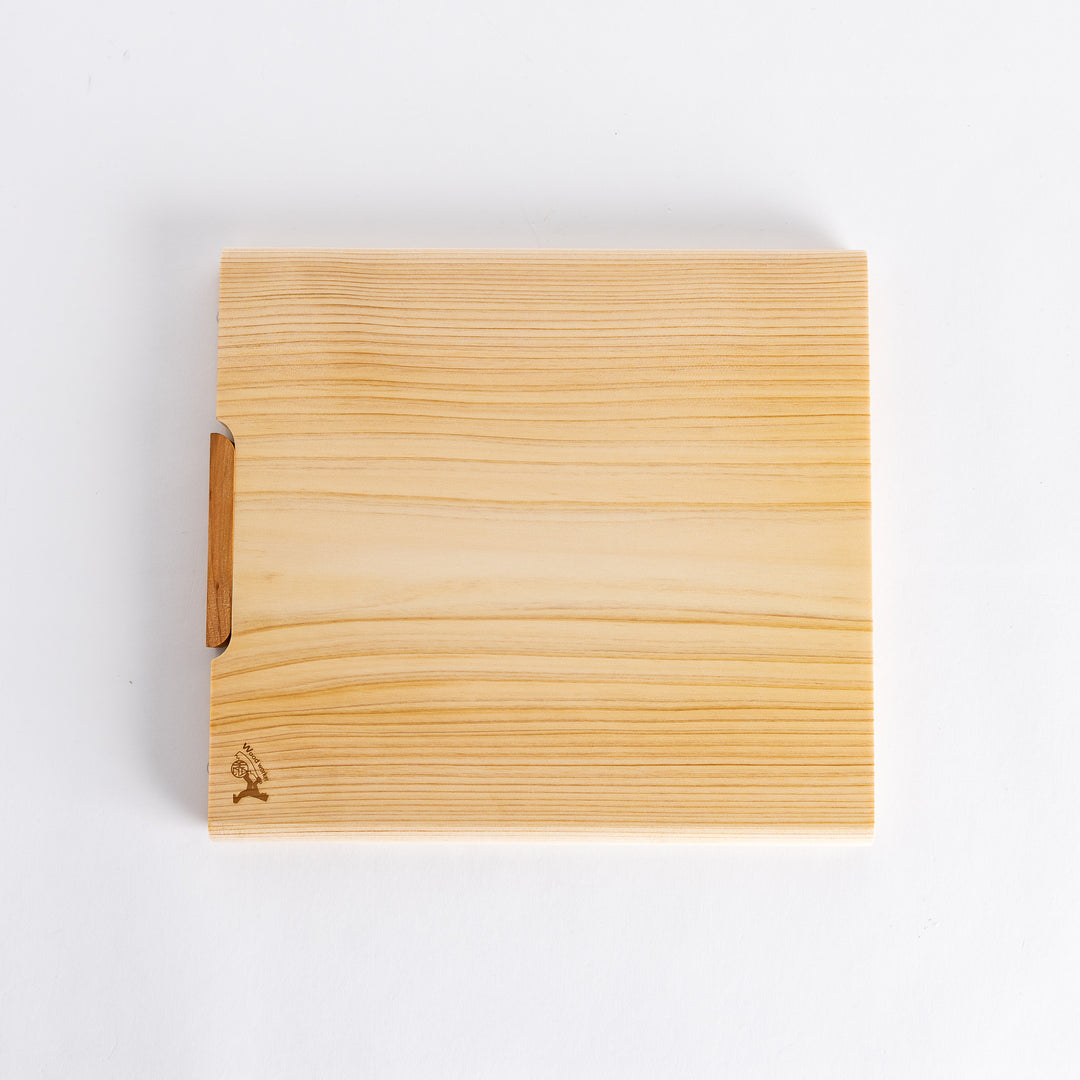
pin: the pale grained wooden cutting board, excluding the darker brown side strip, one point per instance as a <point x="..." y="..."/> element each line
<point x="546" y="544"/>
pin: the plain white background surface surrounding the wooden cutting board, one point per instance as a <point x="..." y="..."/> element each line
<point x="141" y="139"/>
